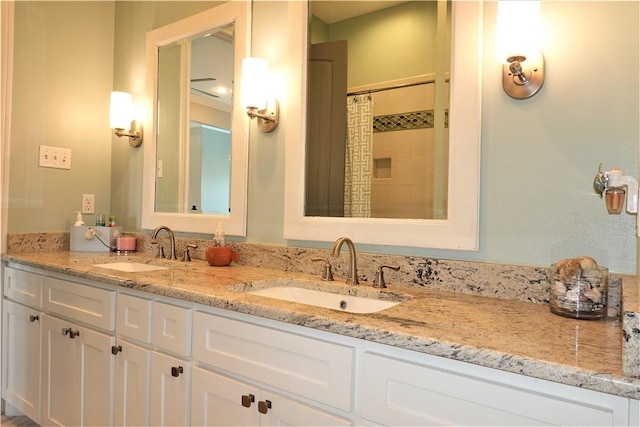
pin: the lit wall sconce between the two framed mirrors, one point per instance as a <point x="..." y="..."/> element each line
<point x="254" y="94"/>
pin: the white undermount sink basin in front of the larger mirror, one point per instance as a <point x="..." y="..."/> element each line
<point x="349" y="303"/>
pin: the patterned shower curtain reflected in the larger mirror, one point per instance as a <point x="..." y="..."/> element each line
<point x="358" y="156"/>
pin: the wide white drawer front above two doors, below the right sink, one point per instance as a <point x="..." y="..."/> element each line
<point x="315" y="369"/>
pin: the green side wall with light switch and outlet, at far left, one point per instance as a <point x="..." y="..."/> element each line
<point x="61" y="88"/>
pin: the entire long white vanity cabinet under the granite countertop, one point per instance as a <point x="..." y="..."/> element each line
<point x="70" y="358"/>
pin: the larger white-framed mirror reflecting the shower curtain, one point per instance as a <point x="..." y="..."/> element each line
<point x="449" y="217"/>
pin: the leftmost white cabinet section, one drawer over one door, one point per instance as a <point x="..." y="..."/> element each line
<point x="21" y="322"/>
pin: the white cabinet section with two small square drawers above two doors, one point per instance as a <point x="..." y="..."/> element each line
<point x="152" y="362"/>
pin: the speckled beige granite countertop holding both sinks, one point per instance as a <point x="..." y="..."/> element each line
<point x="513" y="336"/>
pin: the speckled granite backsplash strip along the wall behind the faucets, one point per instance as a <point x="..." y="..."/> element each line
<point x="522" y="283"/>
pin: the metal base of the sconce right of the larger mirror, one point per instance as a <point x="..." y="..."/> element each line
<point x="520" y="82"/>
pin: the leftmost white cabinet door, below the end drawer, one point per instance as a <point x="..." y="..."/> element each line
<point x="21" y="358"/>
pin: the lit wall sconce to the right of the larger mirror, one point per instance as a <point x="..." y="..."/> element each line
<point x="518" y="47"/>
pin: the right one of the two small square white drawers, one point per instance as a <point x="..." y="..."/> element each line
<point x="171" y="328"/>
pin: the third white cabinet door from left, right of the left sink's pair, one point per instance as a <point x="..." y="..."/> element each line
<point x="94" y="376"/>
